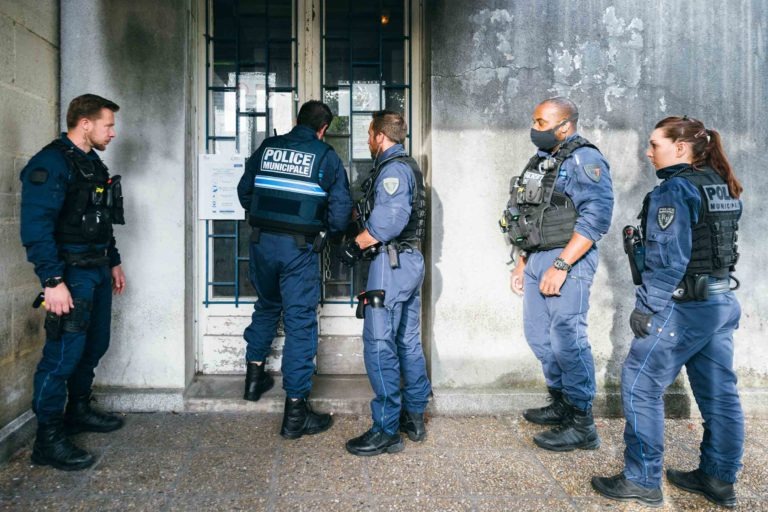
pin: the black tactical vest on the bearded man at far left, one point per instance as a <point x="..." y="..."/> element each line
<point x="93" y="201"/>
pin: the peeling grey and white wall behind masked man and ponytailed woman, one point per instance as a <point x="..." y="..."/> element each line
<point x="627" y="64"/>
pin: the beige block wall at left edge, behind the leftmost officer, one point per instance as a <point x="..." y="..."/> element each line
<point x="29" y="101"/>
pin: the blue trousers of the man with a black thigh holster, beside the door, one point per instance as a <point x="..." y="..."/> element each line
<point x="392" y="341"/>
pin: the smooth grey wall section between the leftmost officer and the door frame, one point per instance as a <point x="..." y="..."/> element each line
<point x="135" y="53"/>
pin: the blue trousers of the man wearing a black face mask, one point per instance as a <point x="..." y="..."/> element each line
<point x="556" y="327"/>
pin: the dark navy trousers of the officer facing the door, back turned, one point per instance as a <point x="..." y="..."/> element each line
<point x="287" y="280"/>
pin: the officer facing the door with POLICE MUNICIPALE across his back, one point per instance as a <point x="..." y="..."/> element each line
<point x="296" y="192"/>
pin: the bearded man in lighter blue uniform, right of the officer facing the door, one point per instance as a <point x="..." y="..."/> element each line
<point x="394" y="221"/>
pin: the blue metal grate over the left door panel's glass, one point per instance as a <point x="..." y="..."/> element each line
<point x="251" y="71"/>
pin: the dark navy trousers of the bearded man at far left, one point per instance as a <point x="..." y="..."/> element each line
<point x="68" y="363"/>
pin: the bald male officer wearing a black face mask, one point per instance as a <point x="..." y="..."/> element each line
<point x="559" y="208"/>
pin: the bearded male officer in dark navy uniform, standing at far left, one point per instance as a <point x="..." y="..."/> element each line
<point x="68" y="205"/>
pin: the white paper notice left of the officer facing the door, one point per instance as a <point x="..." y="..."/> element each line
<point x="217" y="187"/>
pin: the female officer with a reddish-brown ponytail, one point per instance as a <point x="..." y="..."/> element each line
<point x="685" y="314"/>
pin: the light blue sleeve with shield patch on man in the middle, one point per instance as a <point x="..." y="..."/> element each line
<point x="392" y="206"/>
